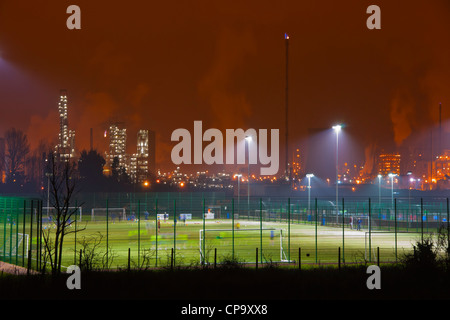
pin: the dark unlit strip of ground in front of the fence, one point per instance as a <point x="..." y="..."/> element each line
<point x="264" y="284"/>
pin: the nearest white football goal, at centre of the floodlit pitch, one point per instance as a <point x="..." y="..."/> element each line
<point x="243" y="240"/>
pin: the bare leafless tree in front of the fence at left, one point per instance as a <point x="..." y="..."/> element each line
<point x="63" y="187"/>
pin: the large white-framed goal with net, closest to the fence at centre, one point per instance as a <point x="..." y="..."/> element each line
<point x="243" y="242"/>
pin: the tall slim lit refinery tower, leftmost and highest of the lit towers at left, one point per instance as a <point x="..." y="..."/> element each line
<point x="66" y="138"/>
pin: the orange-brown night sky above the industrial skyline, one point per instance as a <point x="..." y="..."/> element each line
<point x="162" y="65"/>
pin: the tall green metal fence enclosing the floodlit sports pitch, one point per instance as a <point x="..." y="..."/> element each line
<point x="147" y="230"/>
